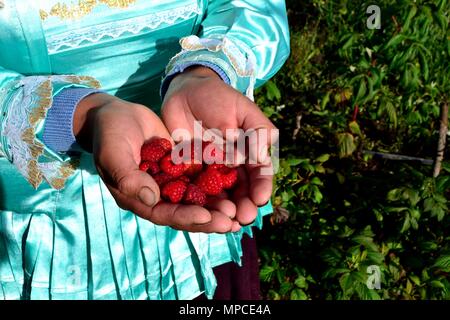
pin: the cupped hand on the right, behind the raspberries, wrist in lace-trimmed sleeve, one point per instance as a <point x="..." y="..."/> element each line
<point x="198" y="94"/>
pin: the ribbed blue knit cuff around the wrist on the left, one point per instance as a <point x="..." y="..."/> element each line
<point x="58" y="129"/>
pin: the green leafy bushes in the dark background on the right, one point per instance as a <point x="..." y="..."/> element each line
<point x="352" y="105"/>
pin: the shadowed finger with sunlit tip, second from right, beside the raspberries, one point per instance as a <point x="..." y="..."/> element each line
<point x="246" y="210"/>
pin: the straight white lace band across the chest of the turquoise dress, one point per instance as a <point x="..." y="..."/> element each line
<point x="115" y="29"/>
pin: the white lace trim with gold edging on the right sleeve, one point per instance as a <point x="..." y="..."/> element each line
<point x="241" y="58"/>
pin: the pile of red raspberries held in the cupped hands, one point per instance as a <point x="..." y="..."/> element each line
<point x="191" y="181"/>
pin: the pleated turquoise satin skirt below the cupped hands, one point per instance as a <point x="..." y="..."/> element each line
<point x="76" y="243"/>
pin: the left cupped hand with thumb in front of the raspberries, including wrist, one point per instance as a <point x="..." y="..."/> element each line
<point x="114" y="130"/>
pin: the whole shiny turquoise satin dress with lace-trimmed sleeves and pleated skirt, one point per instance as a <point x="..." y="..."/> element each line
<point x="62" y="235"/>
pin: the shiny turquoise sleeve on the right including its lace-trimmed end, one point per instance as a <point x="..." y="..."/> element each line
<point x="248" y="40"/>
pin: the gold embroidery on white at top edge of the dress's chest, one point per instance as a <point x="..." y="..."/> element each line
<point x="82" y="8"/>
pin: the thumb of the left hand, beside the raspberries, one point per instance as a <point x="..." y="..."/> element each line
<point x="116" y="163"/>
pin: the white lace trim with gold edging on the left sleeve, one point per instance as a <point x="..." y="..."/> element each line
<point x="27" y="108"/>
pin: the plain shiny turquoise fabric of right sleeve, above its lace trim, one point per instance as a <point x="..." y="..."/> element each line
<point x="259" y="25"/>
